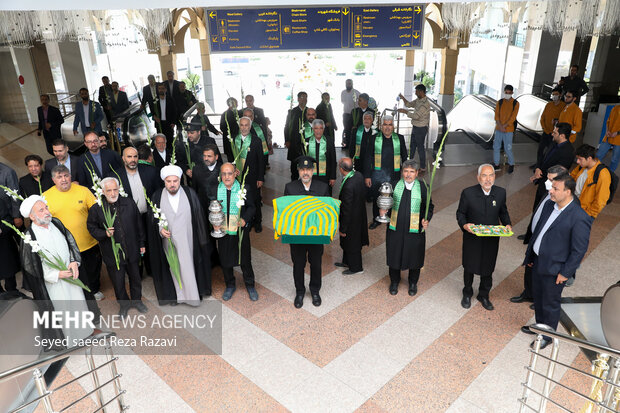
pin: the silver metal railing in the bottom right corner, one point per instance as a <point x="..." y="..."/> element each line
<point x="604" y="394"/>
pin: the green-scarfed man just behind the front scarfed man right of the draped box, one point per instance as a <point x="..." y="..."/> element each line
<point x="386" y="152"/>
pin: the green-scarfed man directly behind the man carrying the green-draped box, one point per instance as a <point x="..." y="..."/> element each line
<point x="321" y="149"/>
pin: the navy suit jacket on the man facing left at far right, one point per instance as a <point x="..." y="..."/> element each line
<point x="565" y="242"/>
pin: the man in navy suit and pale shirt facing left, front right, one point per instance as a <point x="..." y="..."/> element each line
<point x="558" y="245"/>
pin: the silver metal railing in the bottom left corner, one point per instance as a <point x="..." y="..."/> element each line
<point x="45" y="394"/>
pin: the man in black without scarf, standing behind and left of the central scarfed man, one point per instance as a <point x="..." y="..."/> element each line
<point x="294" y="129"/>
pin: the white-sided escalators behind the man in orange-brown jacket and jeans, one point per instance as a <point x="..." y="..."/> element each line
<point x="472" y="127"/>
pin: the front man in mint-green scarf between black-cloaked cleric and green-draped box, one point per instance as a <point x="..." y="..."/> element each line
<point x="238" y="215"/>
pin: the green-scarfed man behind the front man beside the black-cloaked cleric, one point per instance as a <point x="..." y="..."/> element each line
<point x="251" y="160"/>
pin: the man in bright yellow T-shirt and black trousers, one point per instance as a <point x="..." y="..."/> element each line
<point x="70" y="203"/>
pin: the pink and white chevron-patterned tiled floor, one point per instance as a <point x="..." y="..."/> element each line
<point x="363" y="349"/>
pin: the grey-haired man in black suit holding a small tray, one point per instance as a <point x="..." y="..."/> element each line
<point x="483" y="204"/>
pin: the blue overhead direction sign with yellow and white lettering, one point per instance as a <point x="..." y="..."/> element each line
<point x="316" y="28"/>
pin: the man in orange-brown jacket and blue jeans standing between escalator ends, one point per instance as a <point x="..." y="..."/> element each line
<point x="506" y="111"/>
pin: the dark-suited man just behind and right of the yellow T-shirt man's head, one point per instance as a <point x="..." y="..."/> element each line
<point x="96" y="160"/>
